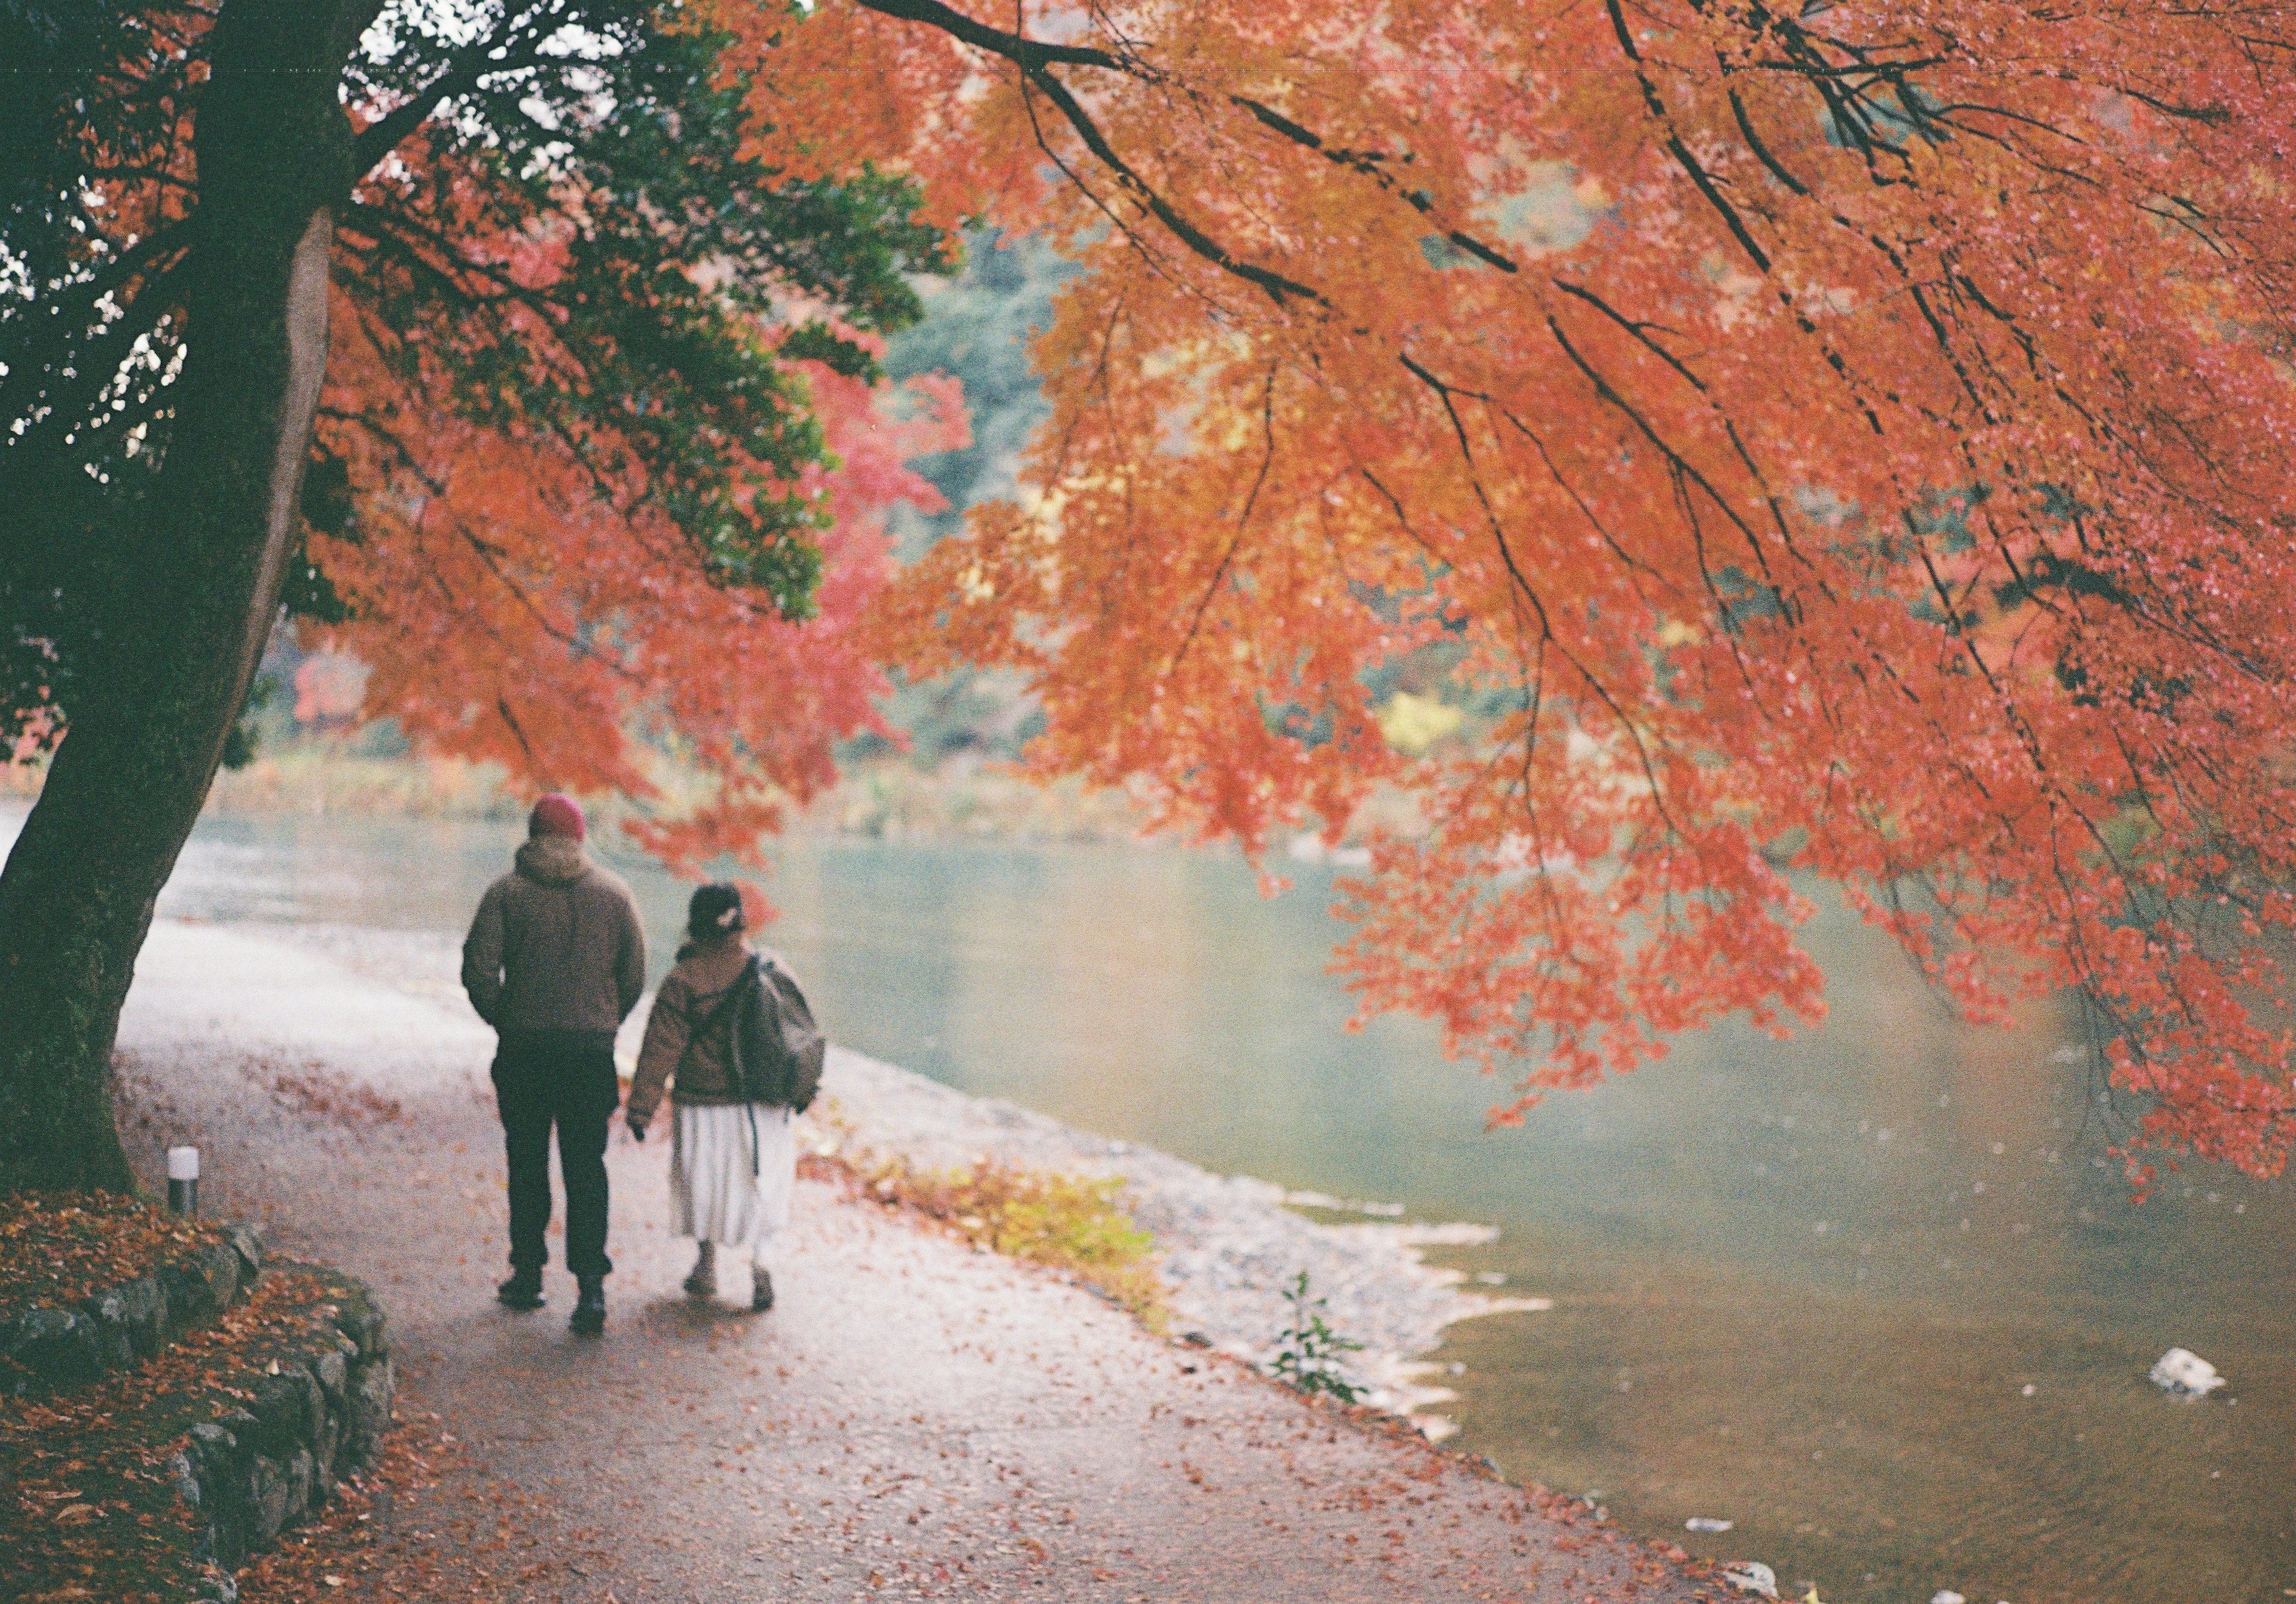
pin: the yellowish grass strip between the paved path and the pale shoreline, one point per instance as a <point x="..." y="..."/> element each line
<point x="1062" y="1221"/>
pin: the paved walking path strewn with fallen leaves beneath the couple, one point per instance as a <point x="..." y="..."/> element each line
<point x="917" y="1421"/>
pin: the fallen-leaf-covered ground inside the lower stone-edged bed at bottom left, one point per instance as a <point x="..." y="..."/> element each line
<point x="86" y="1504"/>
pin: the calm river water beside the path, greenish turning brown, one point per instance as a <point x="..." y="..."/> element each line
<point x="1872" y="1295"/>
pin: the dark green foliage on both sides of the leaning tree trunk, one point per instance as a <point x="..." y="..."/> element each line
<point x="566" y="238"/>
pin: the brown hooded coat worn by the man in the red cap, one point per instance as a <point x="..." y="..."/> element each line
<point x="557" y="946"/>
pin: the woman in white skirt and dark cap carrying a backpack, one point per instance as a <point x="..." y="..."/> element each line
<point x="734" y="1157"/>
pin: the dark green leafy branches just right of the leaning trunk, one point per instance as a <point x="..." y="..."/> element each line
<point x="594" y="256"/>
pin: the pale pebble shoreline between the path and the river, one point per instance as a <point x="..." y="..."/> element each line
<point x="1227" y="1247"/>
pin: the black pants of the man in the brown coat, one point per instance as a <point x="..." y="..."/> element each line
<point x="557" y="1079"/>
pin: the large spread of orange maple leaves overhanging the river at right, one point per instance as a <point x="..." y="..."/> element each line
<point x="1840" y="442"/>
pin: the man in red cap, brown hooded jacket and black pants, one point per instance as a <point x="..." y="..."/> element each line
<point x="557" y="962"/>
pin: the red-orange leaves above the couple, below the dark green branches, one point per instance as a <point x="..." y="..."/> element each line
<point x="518" y="617"/>
